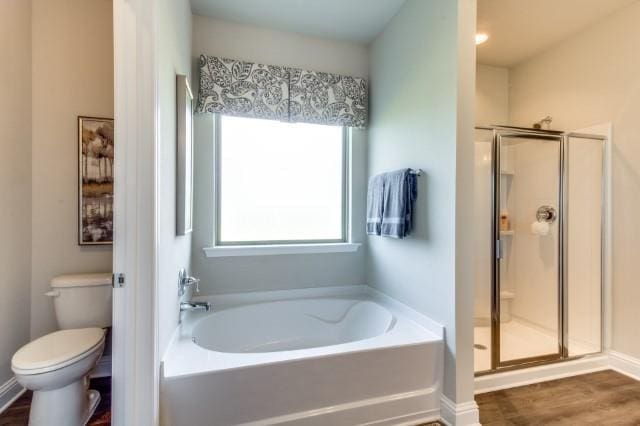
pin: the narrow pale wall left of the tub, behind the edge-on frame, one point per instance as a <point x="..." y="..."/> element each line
<point x="174" y="252"/>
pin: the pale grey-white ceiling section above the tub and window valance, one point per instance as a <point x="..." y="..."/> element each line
<point x="353" y="20"/>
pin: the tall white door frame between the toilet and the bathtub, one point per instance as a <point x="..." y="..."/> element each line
<point x="135" y="369"/>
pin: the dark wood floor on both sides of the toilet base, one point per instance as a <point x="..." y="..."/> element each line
<point x="18" y="413"/>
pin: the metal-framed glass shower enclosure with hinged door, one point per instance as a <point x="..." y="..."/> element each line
<point x="539" y="246"/>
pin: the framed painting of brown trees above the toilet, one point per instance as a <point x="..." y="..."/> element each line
<point x="95" y="180"/>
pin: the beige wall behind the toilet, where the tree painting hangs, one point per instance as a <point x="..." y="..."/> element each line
<point x="72" y="76"/>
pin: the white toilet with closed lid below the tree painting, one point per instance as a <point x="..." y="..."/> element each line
<point x="56" y="366"/>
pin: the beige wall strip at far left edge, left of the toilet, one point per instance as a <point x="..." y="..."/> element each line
<point x="15" y="180"/>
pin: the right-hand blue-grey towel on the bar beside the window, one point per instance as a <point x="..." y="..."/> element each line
<point x="400" y="194"/>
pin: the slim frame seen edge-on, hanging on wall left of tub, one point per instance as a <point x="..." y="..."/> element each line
<point x="184" y="178"/>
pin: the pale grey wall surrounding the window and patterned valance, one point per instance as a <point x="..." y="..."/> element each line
<point x="223" y="275"/>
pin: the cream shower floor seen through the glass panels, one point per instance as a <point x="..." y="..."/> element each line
<point x="520" y="340"/>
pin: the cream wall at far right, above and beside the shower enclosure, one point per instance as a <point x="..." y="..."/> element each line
<point x="591" y="78"/>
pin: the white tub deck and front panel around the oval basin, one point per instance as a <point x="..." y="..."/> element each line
<point x="391" y="378"/>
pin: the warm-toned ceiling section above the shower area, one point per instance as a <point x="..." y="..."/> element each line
<point x="519" y="29"/>
